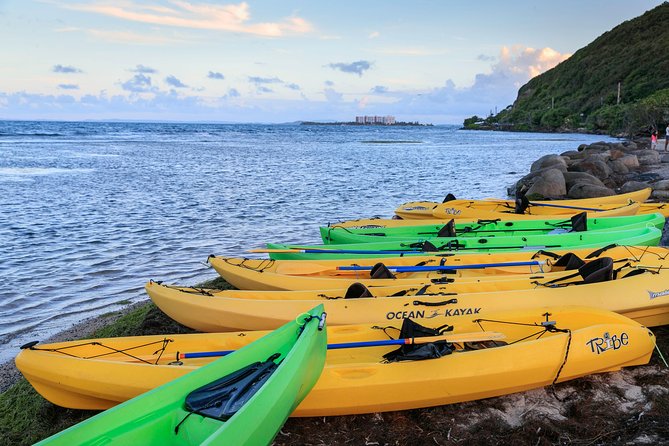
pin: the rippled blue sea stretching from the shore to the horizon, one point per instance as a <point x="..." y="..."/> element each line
<point x="90" y="211"/>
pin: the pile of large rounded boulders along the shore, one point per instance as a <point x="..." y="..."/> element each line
<point x="597" y="170"/>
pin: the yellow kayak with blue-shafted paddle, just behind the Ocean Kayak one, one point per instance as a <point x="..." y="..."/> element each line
<point x="277" y="275"/>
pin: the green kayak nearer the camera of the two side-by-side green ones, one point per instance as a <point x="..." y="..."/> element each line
<point x="443" y="245"/>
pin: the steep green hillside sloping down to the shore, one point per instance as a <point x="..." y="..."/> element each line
<point x="581" y="93"/>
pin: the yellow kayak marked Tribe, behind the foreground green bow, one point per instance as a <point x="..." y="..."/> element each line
<point x="480" y="358"/>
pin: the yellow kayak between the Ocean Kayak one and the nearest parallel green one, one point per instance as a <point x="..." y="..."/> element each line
<point x="276" y="275"/>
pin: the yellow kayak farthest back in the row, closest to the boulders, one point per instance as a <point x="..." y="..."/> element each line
<point x="424" y="209"/>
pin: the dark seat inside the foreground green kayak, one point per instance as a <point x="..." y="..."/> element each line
<point x="222" y="398"/>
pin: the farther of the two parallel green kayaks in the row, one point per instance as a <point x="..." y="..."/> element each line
<point x="335" y="234"/>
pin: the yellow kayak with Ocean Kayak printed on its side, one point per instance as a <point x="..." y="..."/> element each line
<point x="638" y="290"/>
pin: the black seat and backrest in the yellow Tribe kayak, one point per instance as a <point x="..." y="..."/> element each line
<point x="417" y="352"/>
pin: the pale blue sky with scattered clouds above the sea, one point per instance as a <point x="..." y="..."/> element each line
<point x="432" y="61"/>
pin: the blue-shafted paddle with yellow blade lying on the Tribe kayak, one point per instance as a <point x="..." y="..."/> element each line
<point x="452" y="338"/>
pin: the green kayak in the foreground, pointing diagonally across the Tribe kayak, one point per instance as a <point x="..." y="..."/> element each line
<point x="242" y="399"/>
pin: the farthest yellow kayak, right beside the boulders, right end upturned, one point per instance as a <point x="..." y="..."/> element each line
<point x="423" y="209"/>
